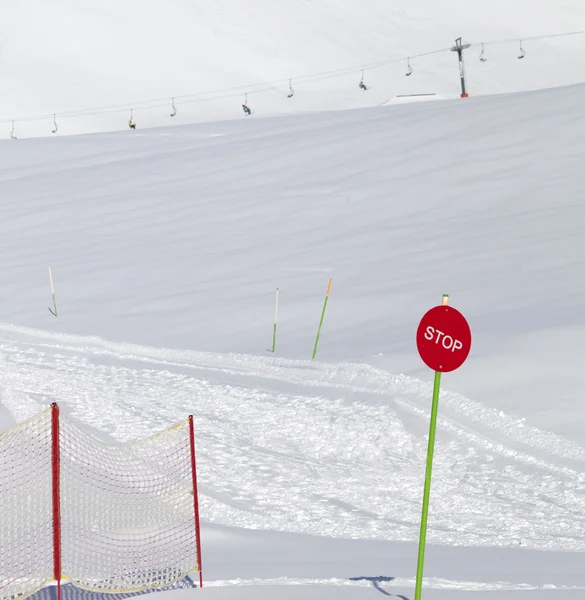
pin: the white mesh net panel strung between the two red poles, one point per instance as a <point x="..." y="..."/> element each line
<point x="127" y="518"/>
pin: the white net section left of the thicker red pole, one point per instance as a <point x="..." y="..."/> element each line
<point x="26" y="507"/>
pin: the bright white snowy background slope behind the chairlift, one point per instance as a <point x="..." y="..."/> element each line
<point x="63" y="56"/>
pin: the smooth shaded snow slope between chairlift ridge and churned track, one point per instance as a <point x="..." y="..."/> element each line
<point x="179" y="237"/>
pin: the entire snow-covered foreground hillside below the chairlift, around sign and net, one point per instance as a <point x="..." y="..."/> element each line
<point x="311" y="472"/>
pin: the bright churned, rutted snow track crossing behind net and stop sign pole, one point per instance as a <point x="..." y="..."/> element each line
<point x="332" y="450"/>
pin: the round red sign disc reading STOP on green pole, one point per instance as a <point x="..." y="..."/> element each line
<point x="443" y="339"/>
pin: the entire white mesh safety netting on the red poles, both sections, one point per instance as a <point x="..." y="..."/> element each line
<point x="127" y="521"/>
